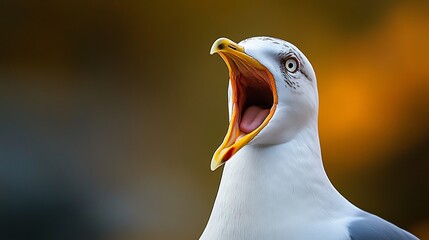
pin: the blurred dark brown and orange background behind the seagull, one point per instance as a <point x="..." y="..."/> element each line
<point x="110" y="110"/>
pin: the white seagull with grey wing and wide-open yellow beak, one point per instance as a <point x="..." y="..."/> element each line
<point x="274" y="185"/>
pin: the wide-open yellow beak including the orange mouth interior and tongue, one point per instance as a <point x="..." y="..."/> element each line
<point x="254" y="98"/>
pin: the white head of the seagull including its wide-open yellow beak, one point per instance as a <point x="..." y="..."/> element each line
<point x="272" y="93"/>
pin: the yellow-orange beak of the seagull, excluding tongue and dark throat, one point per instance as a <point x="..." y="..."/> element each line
<point x="243" y="71"/>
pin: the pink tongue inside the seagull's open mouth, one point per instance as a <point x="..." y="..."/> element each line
<point x="252" y="118"/>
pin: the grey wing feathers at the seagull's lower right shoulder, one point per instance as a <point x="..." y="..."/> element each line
<point x="371" y="227"/>
